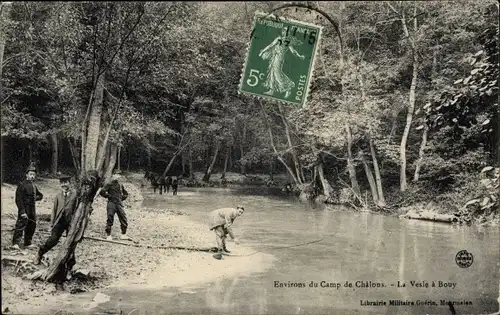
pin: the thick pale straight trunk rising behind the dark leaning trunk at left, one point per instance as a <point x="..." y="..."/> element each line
<point x="94" y="126"/>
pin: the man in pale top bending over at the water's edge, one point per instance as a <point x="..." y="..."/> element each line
<point x="221" y="221"/>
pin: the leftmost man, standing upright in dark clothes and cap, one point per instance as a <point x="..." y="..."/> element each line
<point x="26" y="195"/>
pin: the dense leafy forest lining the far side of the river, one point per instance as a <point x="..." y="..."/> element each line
<point x="403" y="108"/>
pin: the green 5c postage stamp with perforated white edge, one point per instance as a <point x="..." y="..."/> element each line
<point x="280" y="59"/>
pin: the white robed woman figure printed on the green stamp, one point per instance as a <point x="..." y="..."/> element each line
<point x="277" y="80"/>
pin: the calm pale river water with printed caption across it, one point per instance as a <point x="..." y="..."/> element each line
<point x="335" y="274"/>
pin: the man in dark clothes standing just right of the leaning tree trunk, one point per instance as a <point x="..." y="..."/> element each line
<point x="115" y="193"/>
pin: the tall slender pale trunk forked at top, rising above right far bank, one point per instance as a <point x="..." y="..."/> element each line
<point x="411" y="105"/>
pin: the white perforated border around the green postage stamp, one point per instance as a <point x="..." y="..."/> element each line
<point x="313" y="63"/>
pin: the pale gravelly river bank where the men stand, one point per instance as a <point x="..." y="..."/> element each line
<point x="103" y="265"/>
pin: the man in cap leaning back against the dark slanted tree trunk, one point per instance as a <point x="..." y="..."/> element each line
<point x="65" y="205"/>
